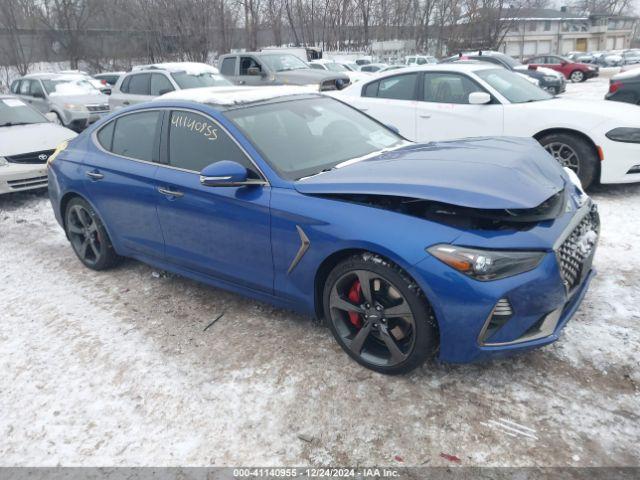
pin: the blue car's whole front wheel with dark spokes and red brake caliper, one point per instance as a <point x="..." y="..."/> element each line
<point x="366" y="327"/>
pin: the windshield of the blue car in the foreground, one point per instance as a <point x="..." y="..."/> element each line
<point x="307" y="136"/>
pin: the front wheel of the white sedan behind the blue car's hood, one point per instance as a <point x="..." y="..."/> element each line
<point x="585" y="163"/>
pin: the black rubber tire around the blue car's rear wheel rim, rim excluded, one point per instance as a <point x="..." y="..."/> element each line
<point x="107" y="256"/>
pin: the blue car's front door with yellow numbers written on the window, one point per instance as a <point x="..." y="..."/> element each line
<point x="223" y="232"/>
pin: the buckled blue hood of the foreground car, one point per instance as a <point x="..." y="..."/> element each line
<point x="487" y="173"/>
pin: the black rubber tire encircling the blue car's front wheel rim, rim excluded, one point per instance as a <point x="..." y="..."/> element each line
<point x="426" y="332"/>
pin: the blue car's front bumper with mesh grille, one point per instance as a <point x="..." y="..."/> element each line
<point x="479" y="320"/>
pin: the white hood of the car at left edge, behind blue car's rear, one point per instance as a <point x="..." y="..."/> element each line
<point x="32" y="138"/>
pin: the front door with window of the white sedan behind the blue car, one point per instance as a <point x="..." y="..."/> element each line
<point x="444" y="112"/>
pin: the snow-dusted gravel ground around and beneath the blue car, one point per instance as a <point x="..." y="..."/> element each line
<point x="115" y="368"/>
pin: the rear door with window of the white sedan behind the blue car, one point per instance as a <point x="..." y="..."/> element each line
<point x="392" y="100"/>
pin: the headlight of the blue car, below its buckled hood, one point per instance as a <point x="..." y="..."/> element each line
<point x="486" y="265"/>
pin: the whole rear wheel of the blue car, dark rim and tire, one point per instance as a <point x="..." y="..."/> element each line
<point x="88" y="237"/>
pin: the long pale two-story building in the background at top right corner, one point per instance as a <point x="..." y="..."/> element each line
<point x="535" y="31"/>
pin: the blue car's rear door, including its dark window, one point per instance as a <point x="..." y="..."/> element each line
<point x="120" y="183"/>
